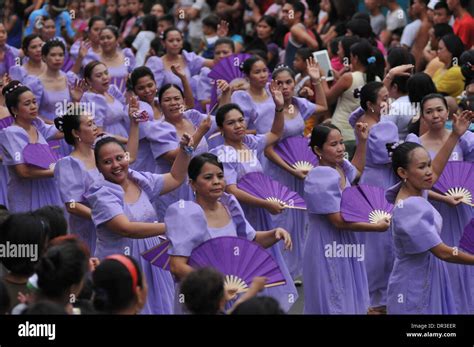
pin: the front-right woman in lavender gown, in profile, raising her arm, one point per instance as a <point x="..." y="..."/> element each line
<point x="420" y="282"/>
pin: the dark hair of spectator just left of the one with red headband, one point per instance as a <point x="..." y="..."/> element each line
<point x="61" y="267"/>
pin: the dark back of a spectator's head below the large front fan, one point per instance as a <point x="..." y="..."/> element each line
<point x="203" y="290"/>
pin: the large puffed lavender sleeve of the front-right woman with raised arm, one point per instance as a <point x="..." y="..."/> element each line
<point x="414" y="225"/>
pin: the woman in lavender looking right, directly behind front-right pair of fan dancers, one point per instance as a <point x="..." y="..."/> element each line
<point x="377" y="172"/>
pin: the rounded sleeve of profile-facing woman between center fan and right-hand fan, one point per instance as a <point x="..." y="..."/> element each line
<point x="322" y="192"/>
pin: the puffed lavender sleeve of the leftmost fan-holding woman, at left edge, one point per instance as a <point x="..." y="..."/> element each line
<point x="13" y="141"/>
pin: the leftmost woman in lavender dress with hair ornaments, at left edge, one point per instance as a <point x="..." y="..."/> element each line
<point x="29" y="187"/>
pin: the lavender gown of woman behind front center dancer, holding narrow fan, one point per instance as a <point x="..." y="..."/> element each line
<point x="234" y="170"/>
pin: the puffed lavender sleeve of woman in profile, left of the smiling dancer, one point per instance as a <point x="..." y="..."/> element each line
<point x="70" y="179"/>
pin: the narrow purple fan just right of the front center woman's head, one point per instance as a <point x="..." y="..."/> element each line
<point x="261" y="186"/>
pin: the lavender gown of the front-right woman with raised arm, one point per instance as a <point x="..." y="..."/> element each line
<point x="419" y="282"/>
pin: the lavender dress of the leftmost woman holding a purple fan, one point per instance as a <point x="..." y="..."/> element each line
<point x="27" y="194"/>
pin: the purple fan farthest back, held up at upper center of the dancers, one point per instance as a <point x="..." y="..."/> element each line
<point x="227" y="69"/>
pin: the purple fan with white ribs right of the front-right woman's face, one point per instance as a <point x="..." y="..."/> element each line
<point x="457" y="179"/>
